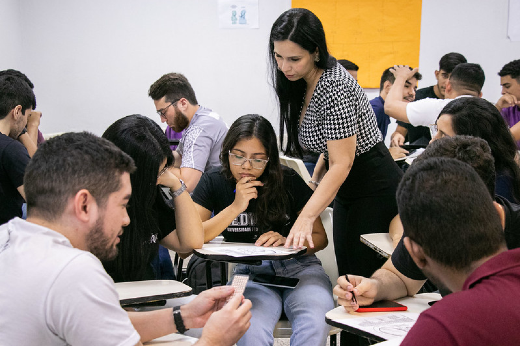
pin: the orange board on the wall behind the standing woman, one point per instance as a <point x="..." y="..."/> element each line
<point x="374" y="34"/>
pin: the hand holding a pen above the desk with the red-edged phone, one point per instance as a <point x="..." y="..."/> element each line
<point x="364" y="288"/>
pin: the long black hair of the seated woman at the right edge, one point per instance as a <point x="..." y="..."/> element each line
<point x="474" y="116"/>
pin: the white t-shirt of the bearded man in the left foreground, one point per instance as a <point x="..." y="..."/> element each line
<point x="54" y="294"/>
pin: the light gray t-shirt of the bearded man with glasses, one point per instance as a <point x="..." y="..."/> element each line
<point x="201" y="142"/>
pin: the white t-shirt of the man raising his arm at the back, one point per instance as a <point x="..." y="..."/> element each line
<point x="426" y="111"/>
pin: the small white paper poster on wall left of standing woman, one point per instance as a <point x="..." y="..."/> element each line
<point x="238" y="14"/>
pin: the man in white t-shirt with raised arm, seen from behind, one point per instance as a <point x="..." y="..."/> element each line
<point x="466" y="80"/>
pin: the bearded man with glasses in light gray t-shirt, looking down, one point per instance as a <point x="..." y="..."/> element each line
<point x="199" y="147"/>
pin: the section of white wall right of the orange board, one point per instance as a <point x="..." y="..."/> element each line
<point x="476" y="29"/>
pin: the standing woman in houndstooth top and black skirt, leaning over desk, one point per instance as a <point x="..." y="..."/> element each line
<point x="323" y="109"/>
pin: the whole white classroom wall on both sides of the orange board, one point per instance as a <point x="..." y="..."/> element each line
<point x="93" y="61"/>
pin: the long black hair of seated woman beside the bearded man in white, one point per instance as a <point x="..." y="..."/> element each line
<point x="144" y="141"/>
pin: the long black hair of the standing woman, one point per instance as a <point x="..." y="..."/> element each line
<point x="302" y="27"/>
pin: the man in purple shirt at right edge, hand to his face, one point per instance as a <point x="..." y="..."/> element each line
<point x="509" y="103"/>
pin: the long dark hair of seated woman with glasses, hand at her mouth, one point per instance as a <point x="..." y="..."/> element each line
<point x="271" y="204"/>
